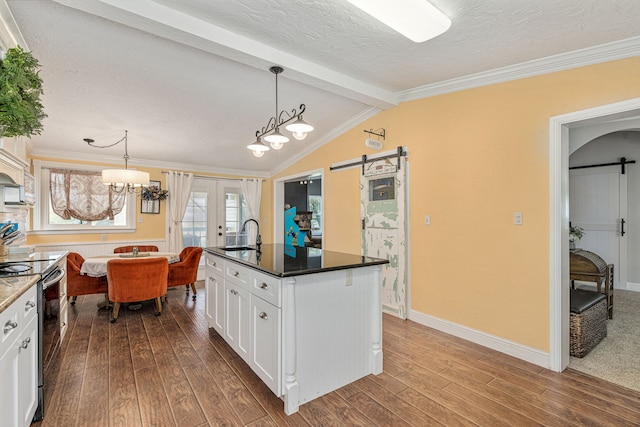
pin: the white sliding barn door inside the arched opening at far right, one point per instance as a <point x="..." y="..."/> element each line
<point x="598" y="204"/>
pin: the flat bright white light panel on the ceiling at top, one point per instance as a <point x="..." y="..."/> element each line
<point x="417" y="20"/>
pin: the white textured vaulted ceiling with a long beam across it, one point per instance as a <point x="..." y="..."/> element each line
<point x="189" y="80"/>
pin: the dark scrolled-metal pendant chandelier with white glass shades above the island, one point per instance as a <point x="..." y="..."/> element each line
<point x="299" y="128"/>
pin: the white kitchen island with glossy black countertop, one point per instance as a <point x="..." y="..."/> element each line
<point x="306" y="320"/>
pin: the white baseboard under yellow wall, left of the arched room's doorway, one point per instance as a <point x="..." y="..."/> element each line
<point x="520" y="351"/>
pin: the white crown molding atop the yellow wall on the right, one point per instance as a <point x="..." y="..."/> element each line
<point x="592" y="55"/>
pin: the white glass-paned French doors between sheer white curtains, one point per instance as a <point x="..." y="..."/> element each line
<point x="214" y="216"/>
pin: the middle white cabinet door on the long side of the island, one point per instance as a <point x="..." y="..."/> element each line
<point x="237" y="319"/>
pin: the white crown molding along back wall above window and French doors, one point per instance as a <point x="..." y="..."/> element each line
<point x="83" y="157"/>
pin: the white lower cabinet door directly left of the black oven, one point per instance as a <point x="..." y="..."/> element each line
<point x="28" y="372"/>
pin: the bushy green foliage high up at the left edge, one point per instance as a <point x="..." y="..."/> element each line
<point x="21" y="111"/>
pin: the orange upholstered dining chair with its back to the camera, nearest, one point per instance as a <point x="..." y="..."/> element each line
<point x="135" y="280"/>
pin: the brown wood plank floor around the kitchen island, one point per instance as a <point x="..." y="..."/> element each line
<point x="173" y="371"/>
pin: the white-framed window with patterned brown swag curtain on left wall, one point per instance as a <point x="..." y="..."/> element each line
<point x="47" y="221"/>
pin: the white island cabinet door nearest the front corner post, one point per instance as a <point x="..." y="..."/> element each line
<point x="265" y="355"/>
